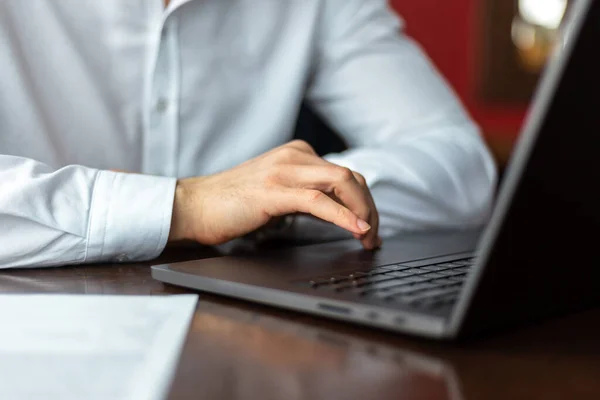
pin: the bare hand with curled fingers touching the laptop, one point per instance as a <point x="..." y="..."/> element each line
<point x="287" y="180"/>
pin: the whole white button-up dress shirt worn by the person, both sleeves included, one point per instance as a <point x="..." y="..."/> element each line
<point x="88" y="85"/>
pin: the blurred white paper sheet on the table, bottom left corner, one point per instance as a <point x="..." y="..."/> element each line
<point x="91" y="347"/>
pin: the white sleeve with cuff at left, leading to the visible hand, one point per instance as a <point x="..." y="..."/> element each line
<point x="80" y="215"/>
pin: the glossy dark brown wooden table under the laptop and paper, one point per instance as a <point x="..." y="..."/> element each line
<point x="238" y="350"/>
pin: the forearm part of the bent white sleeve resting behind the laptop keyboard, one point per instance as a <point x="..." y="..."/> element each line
<point x="443" y="178"/>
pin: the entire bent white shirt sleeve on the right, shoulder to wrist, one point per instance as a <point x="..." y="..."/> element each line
<point x="421" y="154"/>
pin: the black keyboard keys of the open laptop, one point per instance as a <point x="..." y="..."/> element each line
<point x="428" y="286"/>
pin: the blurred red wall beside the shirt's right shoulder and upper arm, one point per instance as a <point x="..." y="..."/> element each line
<point x="450" y="32"/>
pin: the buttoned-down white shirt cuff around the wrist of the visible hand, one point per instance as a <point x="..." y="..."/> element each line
<point x="130" y="217"/>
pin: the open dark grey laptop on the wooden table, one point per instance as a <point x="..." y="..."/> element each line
<point x="536" y="258"/>
